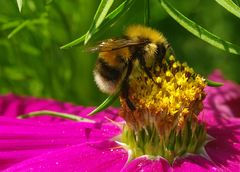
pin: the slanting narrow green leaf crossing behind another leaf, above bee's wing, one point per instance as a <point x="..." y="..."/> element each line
<point x="122" y="8"/>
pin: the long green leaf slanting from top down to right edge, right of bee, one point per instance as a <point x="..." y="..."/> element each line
<point x="199" y="31"/>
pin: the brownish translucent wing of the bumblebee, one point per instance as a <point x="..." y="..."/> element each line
<point x="114" y="44"/>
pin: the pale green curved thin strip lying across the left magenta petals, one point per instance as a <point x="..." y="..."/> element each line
<point x="55" y="114"/>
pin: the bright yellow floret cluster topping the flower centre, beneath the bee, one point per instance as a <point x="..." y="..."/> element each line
<point x="172" y="91"/>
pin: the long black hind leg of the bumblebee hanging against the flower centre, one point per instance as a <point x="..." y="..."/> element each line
<point x="125" y="88"/>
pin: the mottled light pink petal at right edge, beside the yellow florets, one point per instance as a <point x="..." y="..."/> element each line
<point x="223" y="101"/>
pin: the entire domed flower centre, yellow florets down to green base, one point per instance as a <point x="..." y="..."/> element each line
<point x="167" y="106"/>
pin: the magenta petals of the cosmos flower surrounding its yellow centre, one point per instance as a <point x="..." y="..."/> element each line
<point x="53" y="144"/>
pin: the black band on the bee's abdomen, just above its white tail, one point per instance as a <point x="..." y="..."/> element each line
<point x="108" y="72"/>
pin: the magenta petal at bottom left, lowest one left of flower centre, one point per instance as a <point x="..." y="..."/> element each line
<point x="98" y="156"/>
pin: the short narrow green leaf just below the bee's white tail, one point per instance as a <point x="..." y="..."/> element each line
<point x="105" y="104"/>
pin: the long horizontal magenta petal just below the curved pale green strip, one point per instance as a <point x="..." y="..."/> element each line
<point x="23" y="139"/>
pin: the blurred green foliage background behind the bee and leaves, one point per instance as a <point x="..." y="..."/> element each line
<point x="31" y="62"/>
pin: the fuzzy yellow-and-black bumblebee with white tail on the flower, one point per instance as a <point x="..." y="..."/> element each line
<point x="140" y="46"/>
